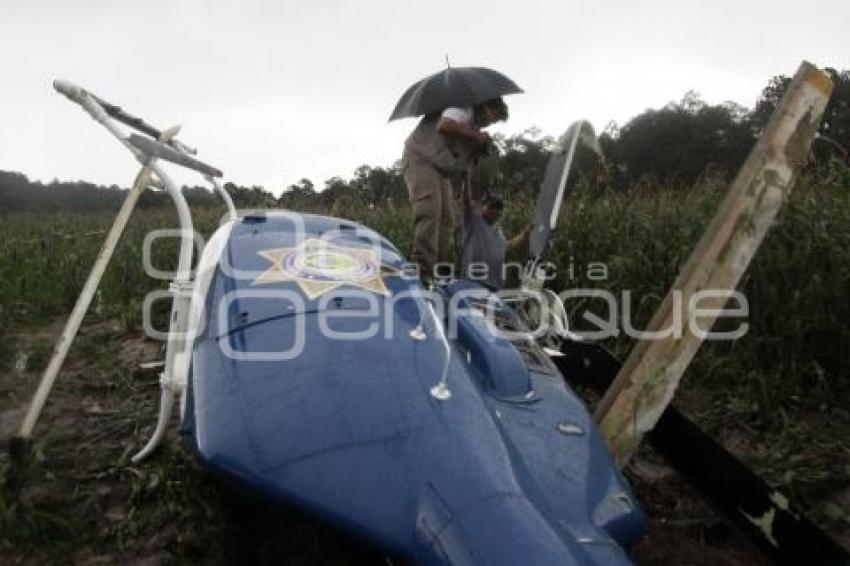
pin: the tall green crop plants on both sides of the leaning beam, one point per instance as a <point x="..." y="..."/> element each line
<point x="797" y="344"/>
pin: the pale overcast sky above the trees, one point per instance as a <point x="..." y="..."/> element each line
<point x="271" y="92"/>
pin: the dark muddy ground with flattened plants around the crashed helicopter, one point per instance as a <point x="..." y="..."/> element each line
<point x="79" y="499"/>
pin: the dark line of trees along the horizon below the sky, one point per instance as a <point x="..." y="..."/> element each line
<point x="673" y="146"/>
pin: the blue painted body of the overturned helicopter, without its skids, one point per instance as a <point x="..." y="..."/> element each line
<point x="509" y="470"/>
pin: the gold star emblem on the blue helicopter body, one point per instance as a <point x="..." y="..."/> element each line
<point x="318" y="266"/>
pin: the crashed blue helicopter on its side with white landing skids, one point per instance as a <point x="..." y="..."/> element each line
<point x="309" y="366"/>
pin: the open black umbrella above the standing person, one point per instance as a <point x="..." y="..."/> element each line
<point x="455" y="86"/>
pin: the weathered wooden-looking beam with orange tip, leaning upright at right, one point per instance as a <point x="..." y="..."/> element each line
<point x="648" y="379"/>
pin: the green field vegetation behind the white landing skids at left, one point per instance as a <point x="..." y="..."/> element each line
<point x="45" y="259"/>
